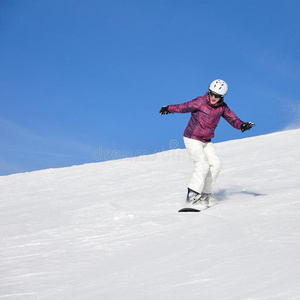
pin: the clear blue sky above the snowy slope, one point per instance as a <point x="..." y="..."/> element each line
<point x="83" y="80"/>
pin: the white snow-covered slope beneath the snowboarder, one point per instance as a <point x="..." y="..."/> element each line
<point x="111" y="230"/>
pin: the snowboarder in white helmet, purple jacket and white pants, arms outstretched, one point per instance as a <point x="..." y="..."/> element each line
<point x="206" y="112"/>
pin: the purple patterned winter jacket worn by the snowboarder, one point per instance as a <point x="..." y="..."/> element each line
<point x="205" y="117"/>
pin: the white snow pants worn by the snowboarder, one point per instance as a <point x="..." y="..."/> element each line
<point x="207" y="165"/>
